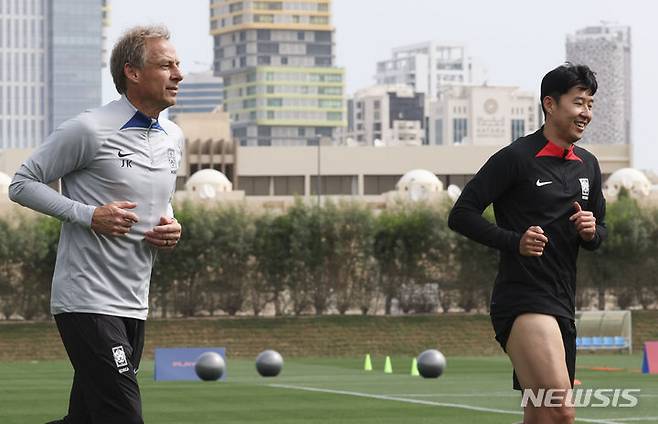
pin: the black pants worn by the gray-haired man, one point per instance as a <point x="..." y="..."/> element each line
<point x="105" y="352"/>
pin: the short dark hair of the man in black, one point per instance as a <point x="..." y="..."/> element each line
<point x="564" y="78"/>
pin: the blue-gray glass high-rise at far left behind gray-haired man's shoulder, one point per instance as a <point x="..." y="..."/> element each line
<point x="50" y="66"/>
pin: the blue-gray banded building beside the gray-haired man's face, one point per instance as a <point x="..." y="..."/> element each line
<point x="199" y="92"/>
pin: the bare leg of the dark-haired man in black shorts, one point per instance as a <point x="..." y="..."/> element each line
<point x="537" y="352"/>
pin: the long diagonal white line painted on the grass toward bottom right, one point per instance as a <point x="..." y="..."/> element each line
<point x="442" y="404"/>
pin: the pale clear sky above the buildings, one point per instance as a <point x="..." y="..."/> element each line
<point x="517" y="41"/>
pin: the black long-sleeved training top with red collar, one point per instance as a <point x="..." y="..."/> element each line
<point x="533" y="182"/>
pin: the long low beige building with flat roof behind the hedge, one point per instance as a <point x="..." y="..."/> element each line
<point x="367" y="173"/>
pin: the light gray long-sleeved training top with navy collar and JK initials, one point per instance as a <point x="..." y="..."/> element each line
<point x="112" y="153"/>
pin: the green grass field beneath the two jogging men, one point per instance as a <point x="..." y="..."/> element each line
<point x="323" y="390"/>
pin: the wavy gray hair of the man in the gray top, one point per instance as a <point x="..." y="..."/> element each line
<point x="131" y="49"/>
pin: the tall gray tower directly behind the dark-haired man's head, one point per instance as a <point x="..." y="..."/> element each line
<point x="606" y="49"/>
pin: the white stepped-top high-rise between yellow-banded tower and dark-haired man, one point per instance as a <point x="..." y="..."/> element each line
<point x="429" y="66"/>
